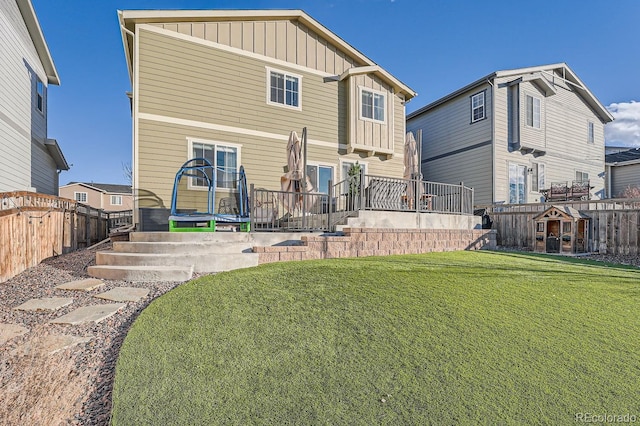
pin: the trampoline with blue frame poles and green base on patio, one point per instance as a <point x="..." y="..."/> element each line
<point x="232" y="210"/>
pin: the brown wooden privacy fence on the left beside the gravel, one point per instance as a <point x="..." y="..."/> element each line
<point x="35" y="226"/>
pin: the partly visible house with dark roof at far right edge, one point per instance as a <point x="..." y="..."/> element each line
<point x="623" y="171"/>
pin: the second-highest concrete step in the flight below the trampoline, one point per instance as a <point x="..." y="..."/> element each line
<point x="181" y="247"/>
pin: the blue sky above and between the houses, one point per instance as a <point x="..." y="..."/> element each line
<point x="435" y="47"/>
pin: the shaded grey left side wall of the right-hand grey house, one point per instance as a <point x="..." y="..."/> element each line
<point x="454" y="149"/>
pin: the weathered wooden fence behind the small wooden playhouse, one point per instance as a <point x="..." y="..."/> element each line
<point x="614" y="225"/>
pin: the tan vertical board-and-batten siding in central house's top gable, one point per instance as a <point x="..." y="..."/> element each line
<point x="286" y="40"/>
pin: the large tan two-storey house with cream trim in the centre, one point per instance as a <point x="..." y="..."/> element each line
<point x="230" y="85"/>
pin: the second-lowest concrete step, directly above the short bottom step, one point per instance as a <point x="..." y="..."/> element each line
<point x="201" y="262"/>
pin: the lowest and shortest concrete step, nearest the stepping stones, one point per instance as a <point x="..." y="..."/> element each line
<point x="141" y="273"/>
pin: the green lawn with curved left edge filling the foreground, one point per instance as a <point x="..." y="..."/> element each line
<point x="442" y="338"/>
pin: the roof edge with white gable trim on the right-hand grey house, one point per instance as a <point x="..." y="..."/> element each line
<point x="535" y="72"/>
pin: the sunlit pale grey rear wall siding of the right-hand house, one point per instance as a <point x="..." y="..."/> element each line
<point x="562" y="135"/>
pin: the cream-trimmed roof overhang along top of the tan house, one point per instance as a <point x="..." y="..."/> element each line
<point x="129" y="18"/>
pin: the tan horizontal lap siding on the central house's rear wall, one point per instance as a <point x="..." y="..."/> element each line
<point x="188" y="89"/>
